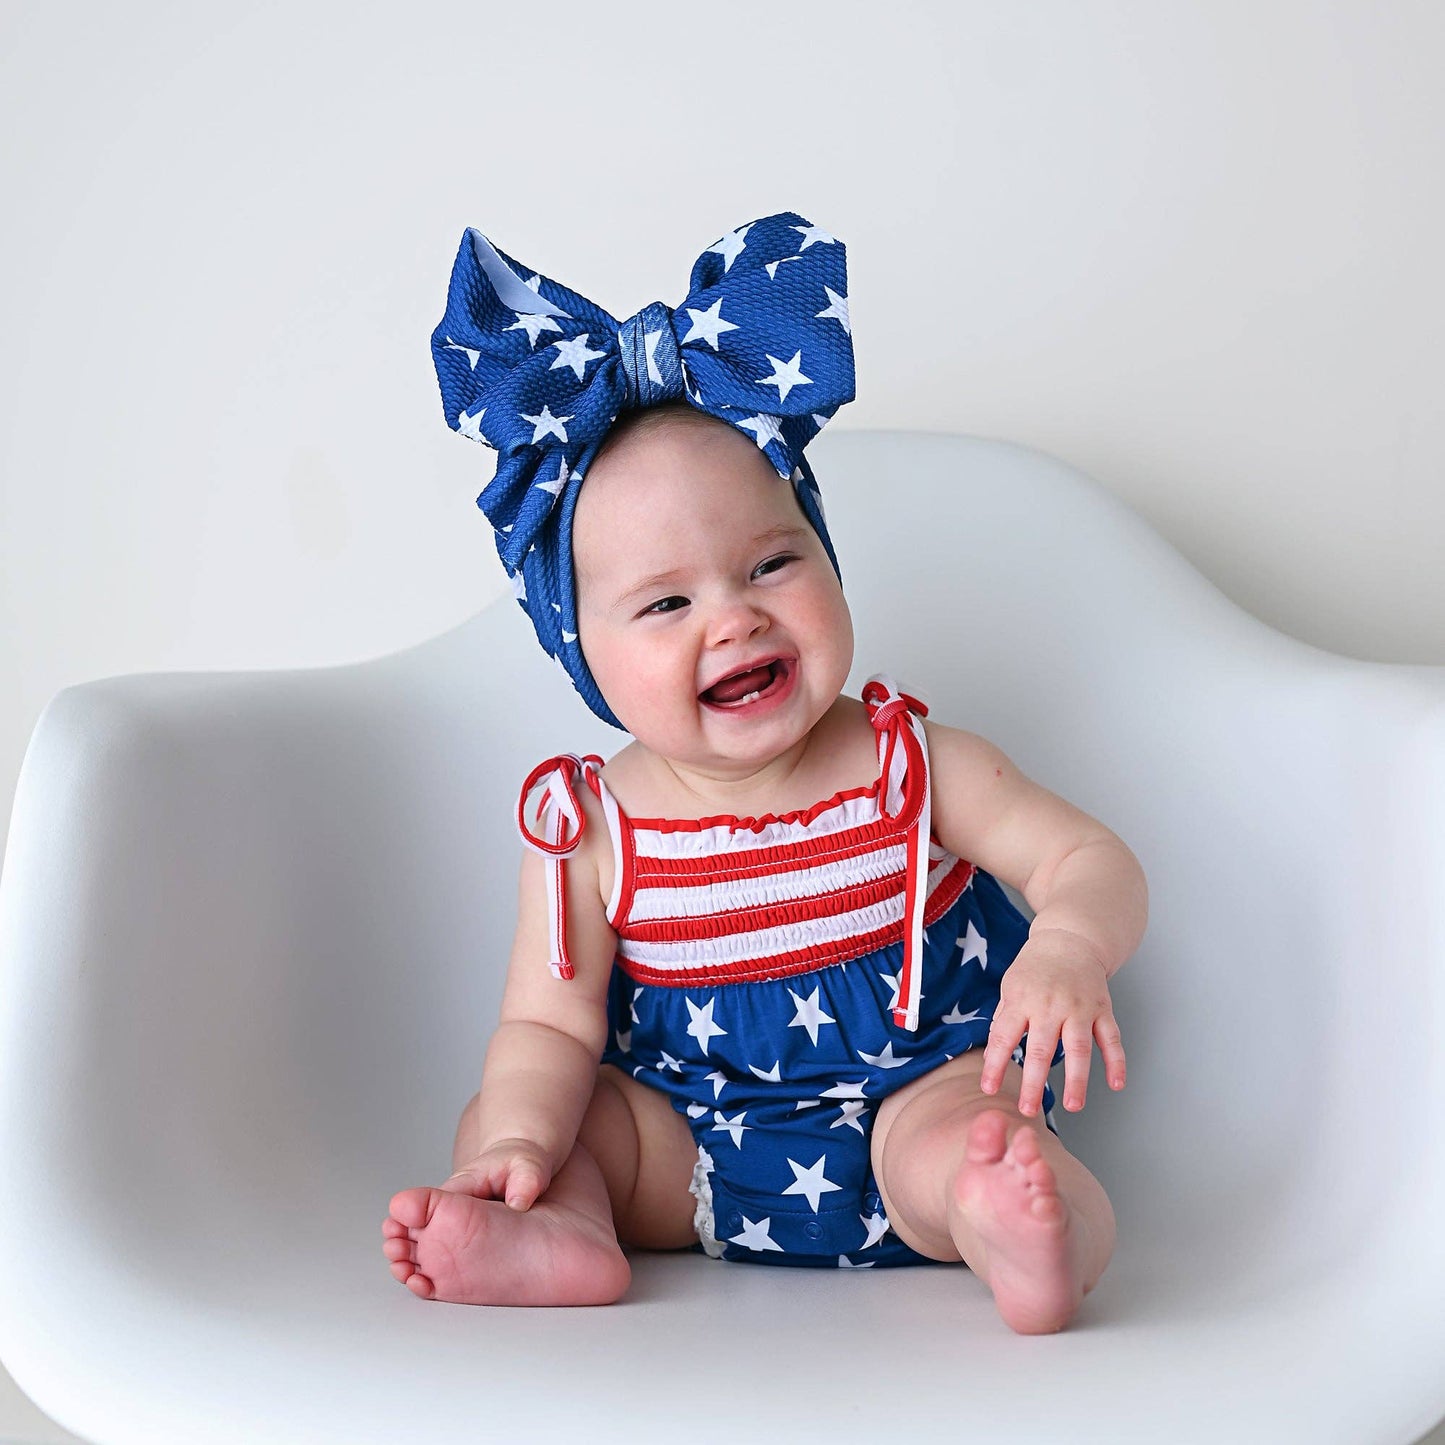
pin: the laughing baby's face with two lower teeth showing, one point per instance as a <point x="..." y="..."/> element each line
<point x="696" y="563"/>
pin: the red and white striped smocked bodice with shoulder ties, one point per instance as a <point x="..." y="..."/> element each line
<point x="728" y="900"/>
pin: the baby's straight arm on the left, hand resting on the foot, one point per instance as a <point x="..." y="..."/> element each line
<point x="541" y="1064"/>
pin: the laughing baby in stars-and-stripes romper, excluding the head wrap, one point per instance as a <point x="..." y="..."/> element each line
<point x="784" y="1017"/>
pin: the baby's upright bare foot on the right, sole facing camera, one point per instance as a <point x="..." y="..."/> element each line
<point x="1008" y="1203"/>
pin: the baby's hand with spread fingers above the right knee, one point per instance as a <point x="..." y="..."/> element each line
<point x="1056" y="986"/>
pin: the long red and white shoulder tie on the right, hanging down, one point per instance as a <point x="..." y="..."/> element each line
<point x="905" y="797"/>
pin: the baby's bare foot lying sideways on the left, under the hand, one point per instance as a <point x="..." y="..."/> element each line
<point x="482" y="1252"/>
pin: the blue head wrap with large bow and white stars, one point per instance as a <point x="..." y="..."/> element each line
<point x="762" y="342"/>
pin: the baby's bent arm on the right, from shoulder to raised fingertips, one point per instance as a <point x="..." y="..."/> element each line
<point x="1090" y="901"/>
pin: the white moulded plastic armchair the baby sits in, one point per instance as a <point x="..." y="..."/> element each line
<point x="254" y="930"/>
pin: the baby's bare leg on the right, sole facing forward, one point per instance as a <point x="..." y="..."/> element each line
<point x="965" y="1176"/>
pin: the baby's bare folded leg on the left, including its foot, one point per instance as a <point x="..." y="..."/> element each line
<point x="564" y="1251"/>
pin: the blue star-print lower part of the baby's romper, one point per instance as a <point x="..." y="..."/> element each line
<point x="781" y="1080"/>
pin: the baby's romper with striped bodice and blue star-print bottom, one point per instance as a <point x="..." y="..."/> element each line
<point x="778" y="978"/>
